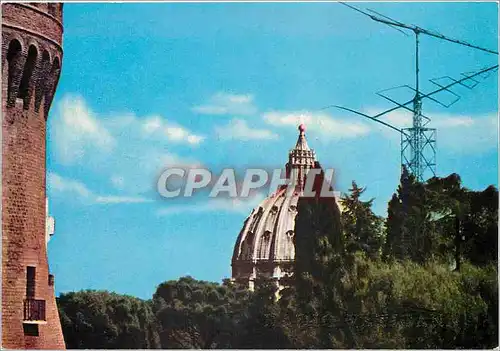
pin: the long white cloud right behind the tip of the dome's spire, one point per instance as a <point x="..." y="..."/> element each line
<point x="318" y="122"/>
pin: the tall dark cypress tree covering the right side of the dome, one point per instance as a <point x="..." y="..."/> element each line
<point x="319" y="269"/>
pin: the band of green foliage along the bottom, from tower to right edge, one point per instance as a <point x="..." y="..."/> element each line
<point x="401" y="304"/>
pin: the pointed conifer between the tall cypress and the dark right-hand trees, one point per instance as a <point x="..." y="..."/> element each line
<point x="362" y="228"/>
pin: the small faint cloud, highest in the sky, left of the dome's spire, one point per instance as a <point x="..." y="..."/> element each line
<point x="228" y="104"/>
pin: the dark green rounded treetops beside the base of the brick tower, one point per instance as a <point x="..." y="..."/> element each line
<point x="102" y="320"/>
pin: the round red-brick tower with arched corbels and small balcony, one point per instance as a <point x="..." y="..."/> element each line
<point x="31" y="64"/>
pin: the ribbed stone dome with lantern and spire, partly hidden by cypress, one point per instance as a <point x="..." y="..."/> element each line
<point x="265" y="244"/>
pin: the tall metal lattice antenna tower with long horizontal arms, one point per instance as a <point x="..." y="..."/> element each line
<point x="418" y="142"/>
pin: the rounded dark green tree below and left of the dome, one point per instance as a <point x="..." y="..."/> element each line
<point x="197" y="314"/>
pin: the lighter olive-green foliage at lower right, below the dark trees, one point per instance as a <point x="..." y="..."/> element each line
<point x="407" y="305"/>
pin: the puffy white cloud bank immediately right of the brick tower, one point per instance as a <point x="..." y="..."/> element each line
<point x="81" y="134"/>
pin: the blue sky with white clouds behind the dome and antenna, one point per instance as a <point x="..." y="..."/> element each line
<point x="145" y="86"/>
